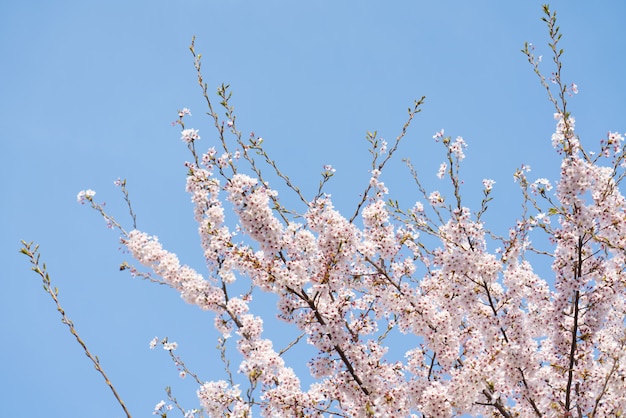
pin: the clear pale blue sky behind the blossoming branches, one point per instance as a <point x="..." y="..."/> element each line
<point x="88" y="91"/>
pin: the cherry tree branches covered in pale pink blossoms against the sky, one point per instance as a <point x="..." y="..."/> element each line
<point x="489" y="335"/>
